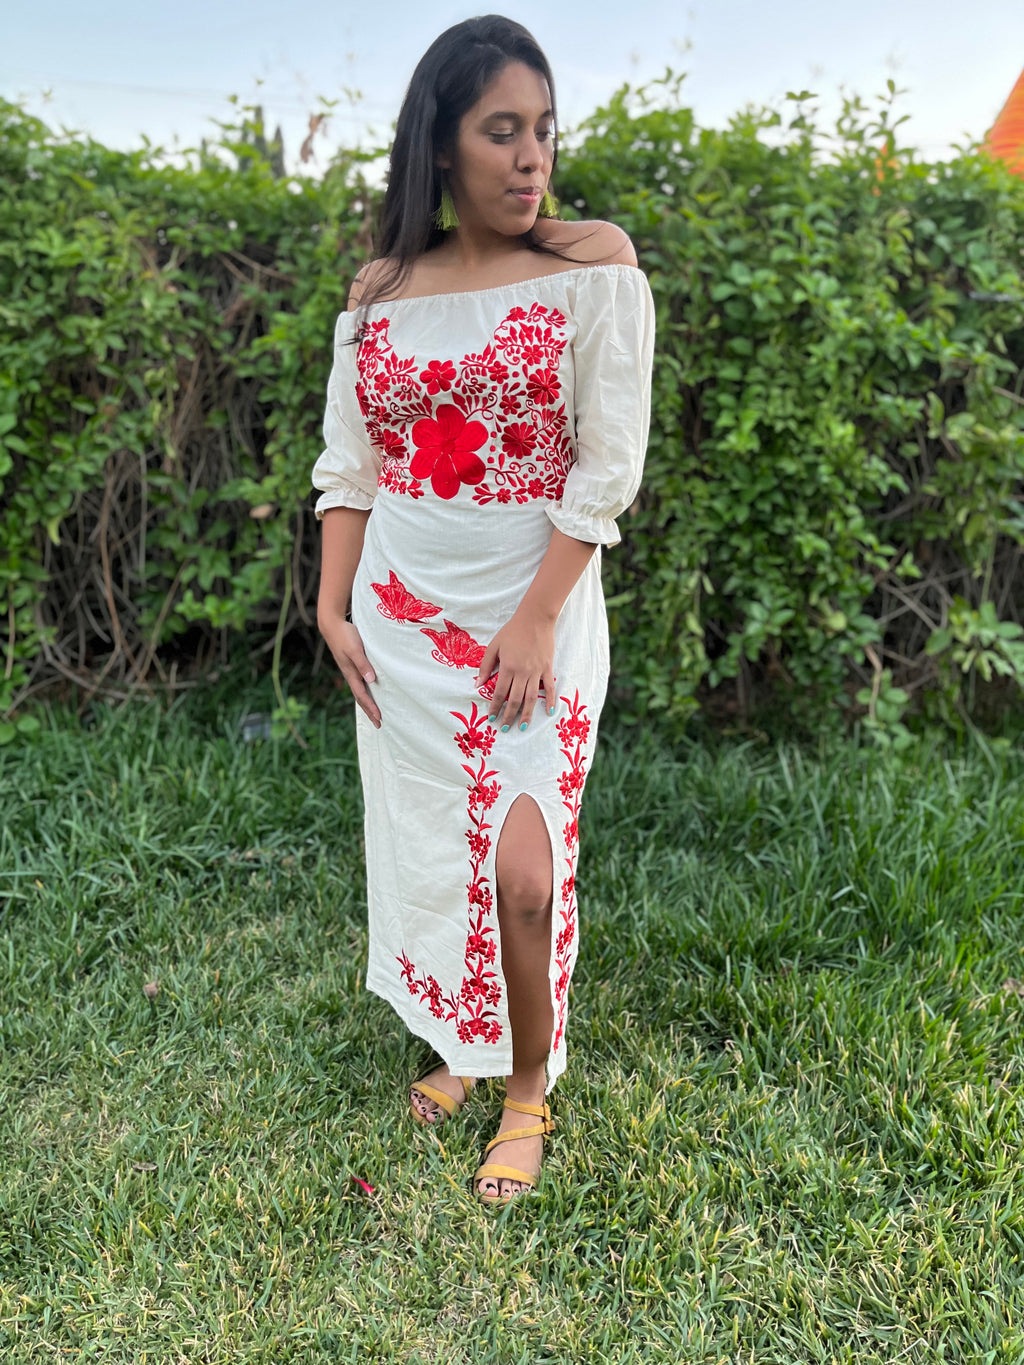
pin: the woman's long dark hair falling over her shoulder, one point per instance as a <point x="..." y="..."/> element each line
<point x="450" y="80"/>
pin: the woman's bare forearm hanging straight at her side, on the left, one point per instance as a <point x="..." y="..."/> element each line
<point x="342" y="545"/>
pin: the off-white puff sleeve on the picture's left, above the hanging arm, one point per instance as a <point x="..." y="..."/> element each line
<point x="346" y="474"/>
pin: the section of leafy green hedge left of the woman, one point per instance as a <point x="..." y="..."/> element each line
<point x="162" y="375"/>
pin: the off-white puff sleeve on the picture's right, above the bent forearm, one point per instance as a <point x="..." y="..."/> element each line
<point x="614" y="356"/>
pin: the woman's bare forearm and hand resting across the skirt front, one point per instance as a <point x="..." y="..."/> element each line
<point x="525" y="648"/>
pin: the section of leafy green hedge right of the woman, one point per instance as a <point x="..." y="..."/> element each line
<point x="838" y="451"/>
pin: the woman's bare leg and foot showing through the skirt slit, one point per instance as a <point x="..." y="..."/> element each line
<point x="524" y="874"/>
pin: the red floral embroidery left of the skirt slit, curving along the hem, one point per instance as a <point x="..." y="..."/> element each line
<point x="474" y="1008"/>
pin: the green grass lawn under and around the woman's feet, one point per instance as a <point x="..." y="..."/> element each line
<point x="791" y="1130"/>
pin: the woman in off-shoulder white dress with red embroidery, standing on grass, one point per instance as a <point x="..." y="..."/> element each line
<point x="487" y="422"/>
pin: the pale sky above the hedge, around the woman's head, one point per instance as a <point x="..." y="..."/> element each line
<point x="118" y="69"/>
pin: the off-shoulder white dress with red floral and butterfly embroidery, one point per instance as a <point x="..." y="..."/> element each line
<point x="472" y="424"/>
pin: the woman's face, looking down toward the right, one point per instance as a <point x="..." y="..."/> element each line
<point x="503" y="155"/>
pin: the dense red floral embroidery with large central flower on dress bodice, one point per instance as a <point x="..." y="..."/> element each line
<point x="492" y="421"/>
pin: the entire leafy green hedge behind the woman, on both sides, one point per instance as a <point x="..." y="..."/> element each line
<point x="834" y="500"/>
